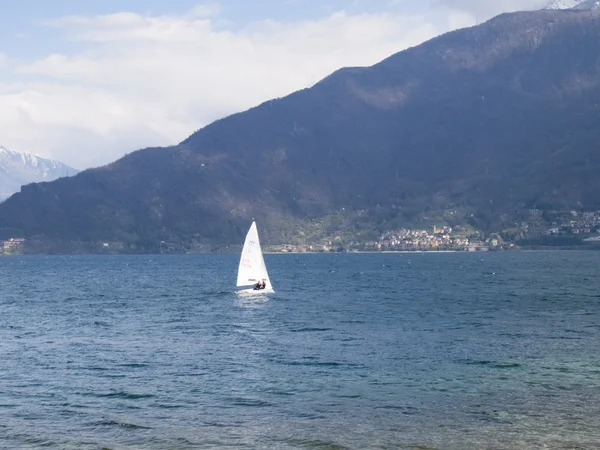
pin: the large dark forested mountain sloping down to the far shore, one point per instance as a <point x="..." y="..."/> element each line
<point x="477" y="125"/>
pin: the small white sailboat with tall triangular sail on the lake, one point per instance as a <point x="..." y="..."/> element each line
<point x="252" y="266"/>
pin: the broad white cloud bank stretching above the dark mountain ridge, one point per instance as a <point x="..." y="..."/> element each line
<point x="141" y="80"/>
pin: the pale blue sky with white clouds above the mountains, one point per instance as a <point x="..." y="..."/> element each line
<point x="87" y="82"/>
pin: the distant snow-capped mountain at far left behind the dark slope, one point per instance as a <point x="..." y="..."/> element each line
<point x="17" y="169"/>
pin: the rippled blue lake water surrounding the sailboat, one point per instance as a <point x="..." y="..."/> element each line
<point x="410" y="351"/>
